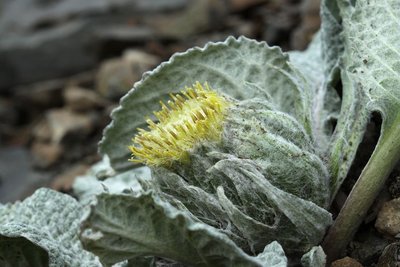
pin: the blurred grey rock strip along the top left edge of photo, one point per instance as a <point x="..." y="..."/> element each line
<point x="45" y="13"/>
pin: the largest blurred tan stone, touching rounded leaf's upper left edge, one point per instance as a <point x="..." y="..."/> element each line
<point x="117" y="76"/>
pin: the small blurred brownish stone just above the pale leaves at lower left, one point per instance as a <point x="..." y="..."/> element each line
<point x="63" y="182"/>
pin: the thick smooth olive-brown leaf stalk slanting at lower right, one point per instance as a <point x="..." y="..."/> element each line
<point x="365" y="191"/>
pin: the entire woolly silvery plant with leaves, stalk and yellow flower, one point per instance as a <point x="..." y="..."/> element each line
<point x="228" y="155"/>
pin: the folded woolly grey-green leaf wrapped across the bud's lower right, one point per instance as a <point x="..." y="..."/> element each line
<point x="299" y="222"/>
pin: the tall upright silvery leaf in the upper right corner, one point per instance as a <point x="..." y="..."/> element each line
<point x="359" y="41"/>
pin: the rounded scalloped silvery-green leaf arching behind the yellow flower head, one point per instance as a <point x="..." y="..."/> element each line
<point x="241" y="68"/>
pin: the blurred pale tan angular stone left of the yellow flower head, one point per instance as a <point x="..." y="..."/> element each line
<point x="64" y="122"/>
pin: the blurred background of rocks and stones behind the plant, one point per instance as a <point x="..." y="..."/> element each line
<point x="64" y="64"/>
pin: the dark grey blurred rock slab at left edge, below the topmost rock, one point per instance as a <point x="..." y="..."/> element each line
<point x="56" y="52"/>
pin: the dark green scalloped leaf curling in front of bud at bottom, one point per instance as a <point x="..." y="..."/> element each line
<point x="122" y="227"/>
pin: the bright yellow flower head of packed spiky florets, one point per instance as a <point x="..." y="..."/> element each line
<point x="194" y="115"/>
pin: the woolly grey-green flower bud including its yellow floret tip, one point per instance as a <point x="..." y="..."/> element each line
<point x="208" y="148"/>
